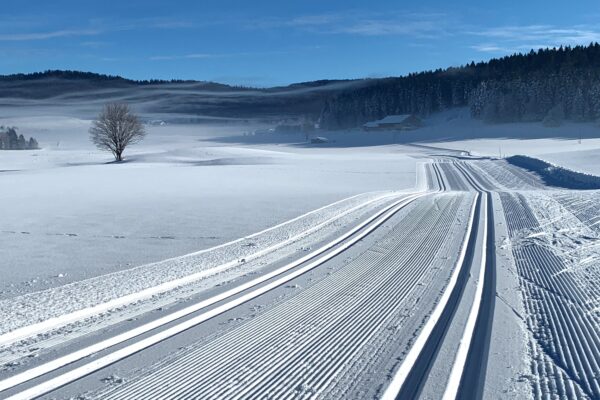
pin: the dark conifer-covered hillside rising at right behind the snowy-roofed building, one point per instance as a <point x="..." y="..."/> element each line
<point x="545" y="85"/>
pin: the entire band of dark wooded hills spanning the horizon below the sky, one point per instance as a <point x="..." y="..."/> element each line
<point x="547" y="85"/>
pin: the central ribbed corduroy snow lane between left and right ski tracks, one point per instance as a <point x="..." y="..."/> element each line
<point x="282" y="368"/>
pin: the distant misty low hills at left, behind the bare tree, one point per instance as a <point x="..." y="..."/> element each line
<point x="178" y="97"/>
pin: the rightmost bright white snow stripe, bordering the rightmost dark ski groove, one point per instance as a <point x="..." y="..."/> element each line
<point x="465" y="342"/>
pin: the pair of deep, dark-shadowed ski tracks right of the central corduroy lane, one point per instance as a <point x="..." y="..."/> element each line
<point x="467" y="373"/>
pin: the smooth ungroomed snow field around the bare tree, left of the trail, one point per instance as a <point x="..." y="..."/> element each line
<point x="73" y="216"/>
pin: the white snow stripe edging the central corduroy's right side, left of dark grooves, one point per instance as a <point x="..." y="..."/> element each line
<point x="399" y="378"/>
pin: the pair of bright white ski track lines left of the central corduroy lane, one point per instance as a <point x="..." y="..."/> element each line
<point x="102" y="362"/>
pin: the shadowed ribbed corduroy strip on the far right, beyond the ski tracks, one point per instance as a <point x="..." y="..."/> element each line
<point x="566" y="341"/>
